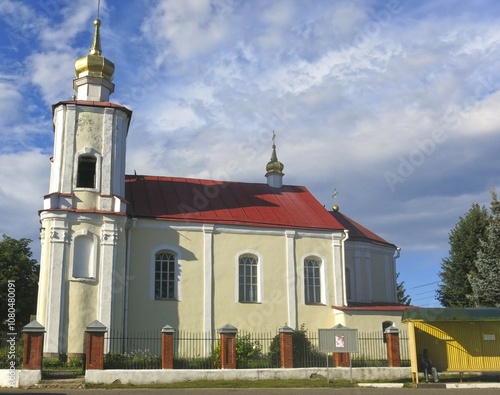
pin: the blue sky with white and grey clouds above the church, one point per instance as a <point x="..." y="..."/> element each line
<point x="392" y="103"/>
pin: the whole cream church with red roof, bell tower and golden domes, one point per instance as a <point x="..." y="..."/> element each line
<point x="138" y="252"/>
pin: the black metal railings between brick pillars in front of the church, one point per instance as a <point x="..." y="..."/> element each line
<point x="254" y="350"/>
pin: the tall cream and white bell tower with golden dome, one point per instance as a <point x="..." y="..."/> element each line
<point x="84" y="215"/>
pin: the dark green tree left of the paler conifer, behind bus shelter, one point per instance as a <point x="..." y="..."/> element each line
<point x="464" y="245"/>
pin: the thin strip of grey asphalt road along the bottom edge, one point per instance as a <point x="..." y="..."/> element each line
<point x="255" y="391"/>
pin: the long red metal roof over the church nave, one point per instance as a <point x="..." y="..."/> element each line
<point x="230" y="203"/>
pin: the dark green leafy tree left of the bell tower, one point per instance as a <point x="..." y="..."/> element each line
<point x="18" y="281"/>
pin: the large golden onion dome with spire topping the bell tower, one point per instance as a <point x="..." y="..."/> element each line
<point x="94" y="64"/>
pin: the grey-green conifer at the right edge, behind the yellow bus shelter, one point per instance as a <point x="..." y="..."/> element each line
<point x="485" y="280"/>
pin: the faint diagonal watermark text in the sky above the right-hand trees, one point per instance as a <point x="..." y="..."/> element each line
<point x="407" y="164"/>
